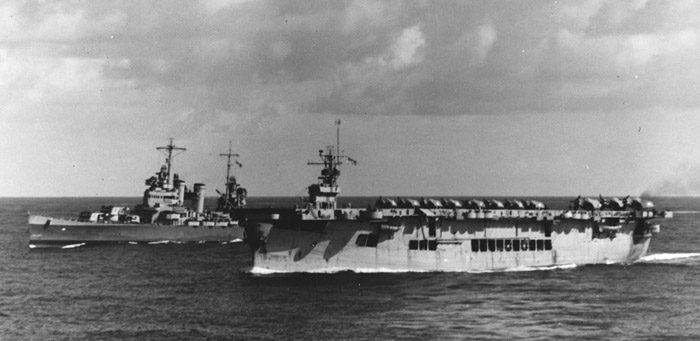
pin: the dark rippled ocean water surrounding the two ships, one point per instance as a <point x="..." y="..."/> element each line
<point x="207" y="291"/>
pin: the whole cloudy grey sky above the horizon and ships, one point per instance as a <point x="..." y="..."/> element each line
<point x="435" y="98"/>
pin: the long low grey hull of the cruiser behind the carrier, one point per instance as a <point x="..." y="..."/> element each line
<point x="52" y="232"/>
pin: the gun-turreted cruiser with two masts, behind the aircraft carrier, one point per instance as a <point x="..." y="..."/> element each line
<point x="169" y="212"/>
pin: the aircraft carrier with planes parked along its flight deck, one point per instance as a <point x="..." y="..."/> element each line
<point x="443" y="235"/>
